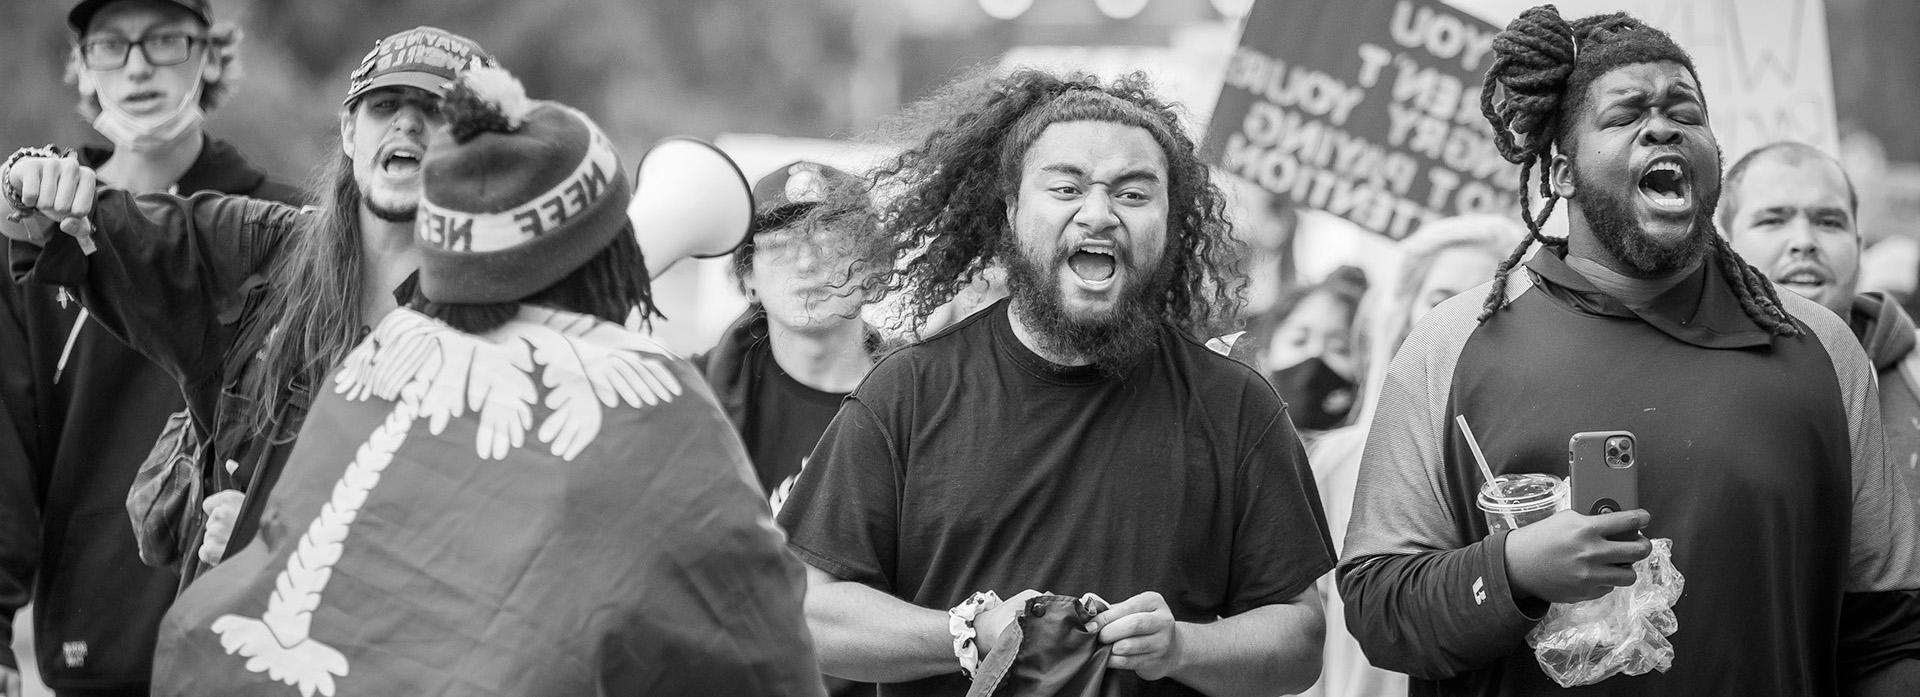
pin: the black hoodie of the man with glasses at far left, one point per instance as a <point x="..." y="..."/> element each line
<point x="82" y="412"/>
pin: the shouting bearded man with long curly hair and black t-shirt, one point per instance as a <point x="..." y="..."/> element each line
<point x="1074" y="439"/>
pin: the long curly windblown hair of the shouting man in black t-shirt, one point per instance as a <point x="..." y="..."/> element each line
<point x="948" y="199"/>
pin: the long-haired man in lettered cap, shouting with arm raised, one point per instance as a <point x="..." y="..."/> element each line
<point x="247" y="304"/>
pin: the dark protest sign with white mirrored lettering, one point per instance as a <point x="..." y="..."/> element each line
<point x="1368" y="110"/>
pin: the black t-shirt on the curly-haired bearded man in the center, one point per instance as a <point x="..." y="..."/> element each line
<point x="971" y="464"/>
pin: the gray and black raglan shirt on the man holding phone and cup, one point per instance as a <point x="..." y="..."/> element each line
<point x="1762" y="458"/>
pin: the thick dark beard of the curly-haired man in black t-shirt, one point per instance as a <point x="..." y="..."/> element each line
<point x="1113" y="343"/>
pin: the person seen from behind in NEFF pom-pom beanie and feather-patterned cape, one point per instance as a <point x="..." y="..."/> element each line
<point x="504" y="491"/>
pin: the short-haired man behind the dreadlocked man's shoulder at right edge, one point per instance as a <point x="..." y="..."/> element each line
<point x="1792" y="212"/>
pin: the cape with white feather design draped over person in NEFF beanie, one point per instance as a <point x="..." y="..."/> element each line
<point x="554" y="508"/>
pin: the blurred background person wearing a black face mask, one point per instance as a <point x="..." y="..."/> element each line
<point x="1305" y="347"/>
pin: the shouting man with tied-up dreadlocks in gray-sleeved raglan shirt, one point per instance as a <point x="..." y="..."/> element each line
<point x="1754" y="412"/>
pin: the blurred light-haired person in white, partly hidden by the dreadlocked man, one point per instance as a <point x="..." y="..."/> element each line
<point x="1437" y="262"/>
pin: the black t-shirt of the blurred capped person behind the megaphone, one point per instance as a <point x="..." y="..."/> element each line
<point x="784" y="423"/>
